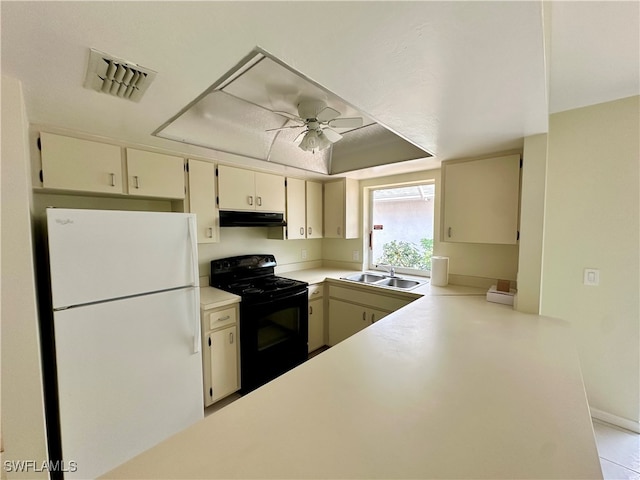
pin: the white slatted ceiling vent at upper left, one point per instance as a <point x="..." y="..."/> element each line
<point x="117" y="77"/>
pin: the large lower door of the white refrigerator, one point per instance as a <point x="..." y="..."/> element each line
<point x="127" y="377"/>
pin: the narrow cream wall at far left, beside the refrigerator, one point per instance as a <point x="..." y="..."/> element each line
<point x="23" y="425"/>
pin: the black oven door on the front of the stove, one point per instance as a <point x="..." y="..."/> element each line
<point x="273" y="338"/>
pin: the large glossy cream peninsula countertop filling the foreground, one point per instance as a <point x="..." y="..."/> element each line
<point x="447" y="387"/>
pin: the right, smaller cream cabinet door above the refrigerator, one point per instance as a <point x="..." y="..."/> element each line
<point x="155" y="175"/>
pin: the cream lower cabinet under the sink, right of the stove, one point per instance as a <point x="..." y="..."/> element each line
<point x="352" y="309"/>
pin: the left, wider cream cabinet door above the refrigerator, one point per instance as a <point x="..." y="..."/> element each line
<point x="80" y="165"/>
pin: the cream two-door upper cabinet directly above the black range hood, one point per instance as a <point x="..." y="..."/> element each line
<point x="241" y="189"/>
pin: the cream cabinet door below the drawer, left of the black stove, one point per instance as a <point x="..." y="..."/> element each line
<point x="224" y="362"/>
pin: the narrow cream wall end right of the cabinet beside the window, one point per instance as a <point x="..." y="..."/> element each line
<point x="534" y="166"/>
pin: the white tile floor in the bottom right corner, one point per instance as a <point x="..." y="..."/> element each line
<point x="619" y="452"/>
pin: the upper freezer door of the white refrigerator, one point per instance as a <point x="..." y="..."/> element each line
<point x="96" y="255"/>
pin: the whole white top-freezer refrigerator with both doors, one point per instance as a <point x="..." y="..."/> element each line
<point x="126" y="333"/>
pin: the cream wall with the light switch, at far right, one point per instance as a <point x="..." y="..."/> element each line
<point x="592" y="219"/>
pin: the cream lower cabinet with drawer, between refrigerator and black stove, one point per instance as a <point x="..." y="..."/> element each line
<point x="220" y="353"/>
